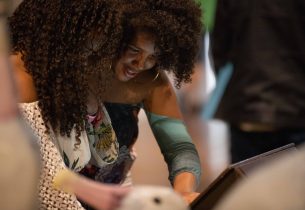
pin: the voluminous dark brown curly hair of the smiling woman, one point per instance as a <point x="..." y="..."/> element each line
<point x="54" y="38"/>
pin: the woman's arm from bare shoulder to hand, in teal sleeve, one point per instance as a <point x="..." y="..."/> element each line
<point x="176" y="145"/>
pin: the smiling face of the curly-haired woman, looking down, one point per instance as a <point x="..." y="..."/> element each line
<point x="140" y="55"/>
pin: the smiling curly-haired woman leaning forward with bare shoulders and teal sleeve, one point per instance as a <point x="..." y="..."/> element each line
<point x="71" y="56"/>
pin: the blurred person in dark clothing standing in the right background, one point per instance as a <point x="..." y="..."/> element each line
<point x="264" y="101"/>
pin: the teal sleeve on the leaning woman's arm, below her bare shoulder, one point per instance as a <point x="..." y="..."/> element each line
<point x="176" y="145"/>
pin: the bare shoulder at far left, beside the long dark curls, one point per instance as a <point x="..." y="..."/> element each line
<point x="23" y="80"/>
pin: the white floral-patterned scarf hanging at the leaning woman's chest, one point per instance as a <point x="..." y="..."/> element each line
<point x="98" y="145"/>
